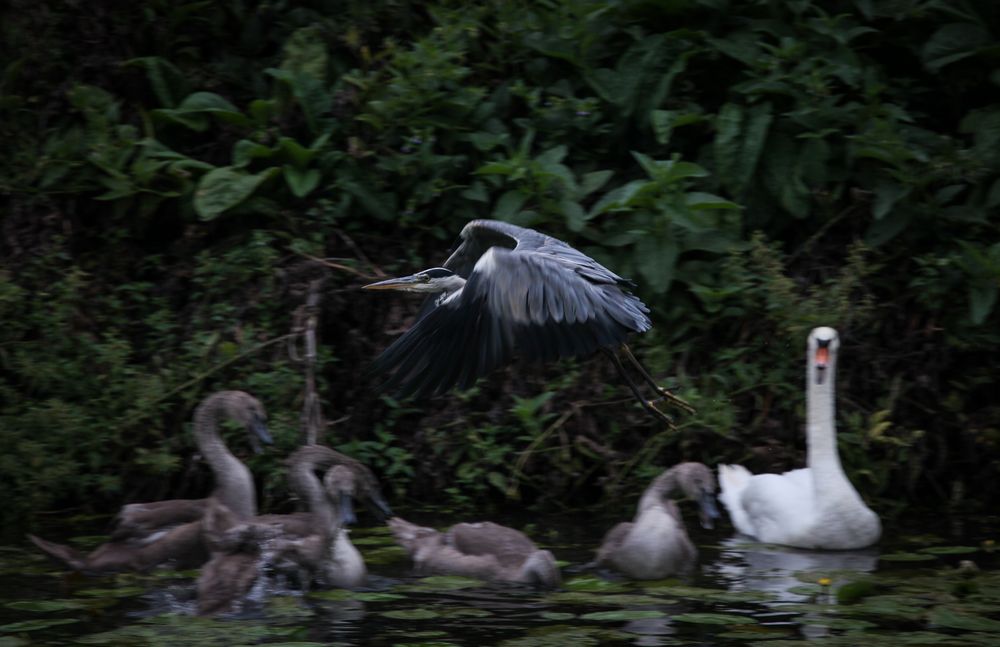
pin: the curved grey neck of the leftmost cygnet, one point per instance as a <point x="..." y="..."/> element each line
<point x="233" y="482"/>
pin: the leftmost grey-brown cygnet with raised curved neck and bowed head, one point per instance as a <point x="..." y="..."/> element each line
<point x="148" y="534"/>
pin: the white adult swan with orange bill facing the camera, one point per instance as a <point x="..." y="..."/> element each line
<point x="814" y="507"/>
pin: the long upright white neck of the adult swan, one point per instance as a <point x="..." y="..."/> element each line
<point x="821" y="432"/>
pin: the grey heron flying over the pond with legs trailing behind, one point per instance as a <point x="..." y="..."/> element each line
<point x="509" y="291"/>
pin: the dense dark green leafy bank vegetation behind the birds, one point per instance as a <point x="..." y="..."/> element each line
<point x="177" y="175"/>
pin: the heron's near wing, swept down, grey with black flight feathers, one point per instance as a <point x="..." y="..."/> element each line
<point x="546" y="302"/>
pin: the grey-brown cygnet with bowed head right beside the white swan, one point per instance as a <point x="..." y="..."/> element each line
<point x="655" y="543"/>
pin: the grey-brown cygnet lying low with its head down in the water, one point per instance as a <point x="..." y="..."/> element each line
<point x="485" y="550"/>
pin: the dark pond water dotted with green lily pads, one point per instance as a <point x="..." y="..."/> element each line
<point x="933" y="581"/>
